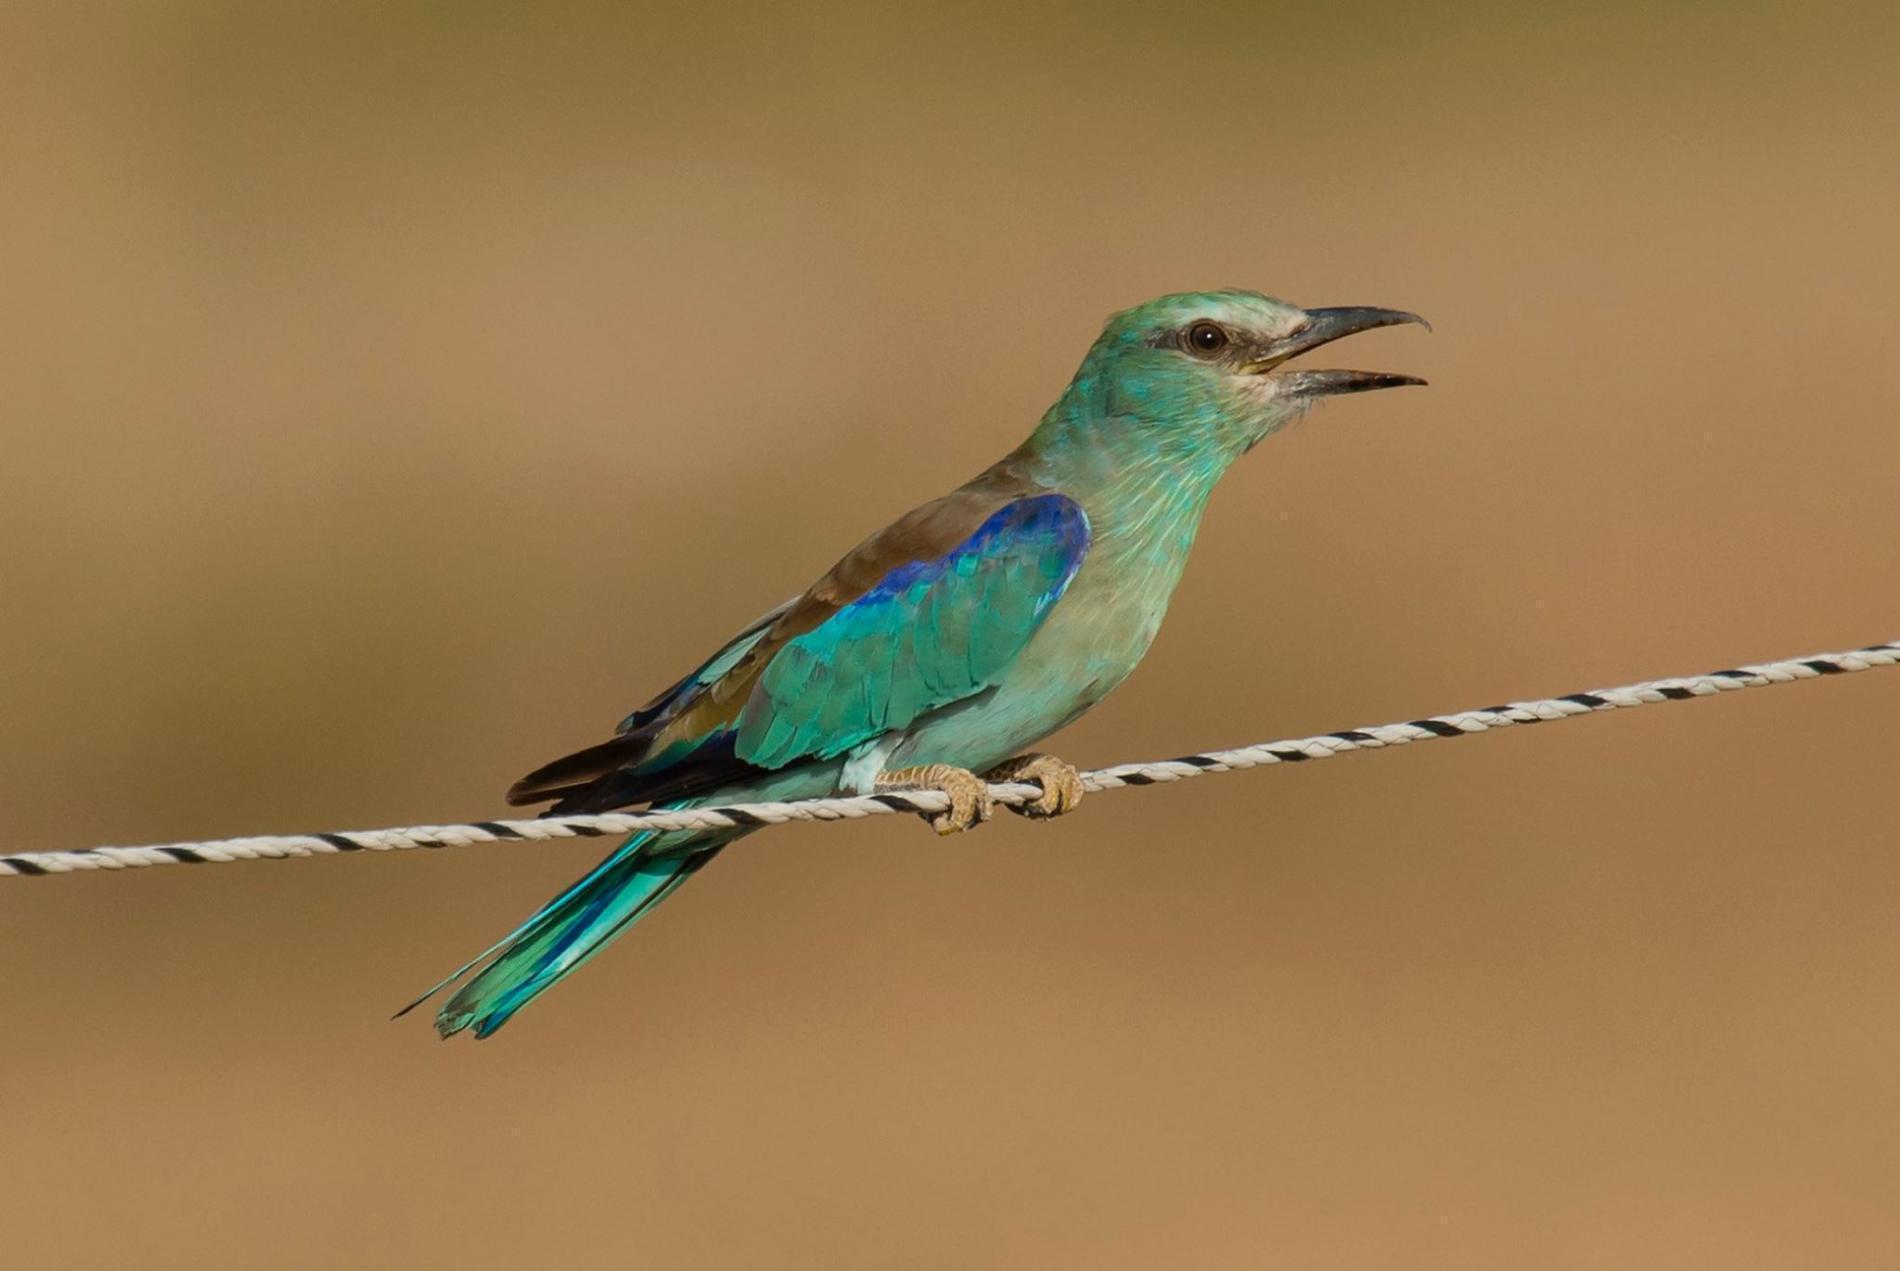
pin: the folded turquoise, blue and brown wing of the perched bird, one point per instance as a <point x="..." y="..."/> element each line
<point x="922" y="615"/>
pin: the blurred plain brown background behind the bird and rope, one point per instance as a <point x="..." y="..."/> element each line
<point x="396" y="394"/>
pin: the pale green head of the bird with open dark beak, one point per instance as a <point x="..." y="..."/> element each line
<point x="1202" y="377"/>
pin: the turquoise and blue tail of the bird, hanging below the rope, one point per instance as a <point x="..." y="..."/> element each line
<point x="571" y="930"/>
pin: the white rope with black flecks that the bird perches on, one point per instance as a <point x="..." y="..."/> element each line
<point x="751" y="816"/>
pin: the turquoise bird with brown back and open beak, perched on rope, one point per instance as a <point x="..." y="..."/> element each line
<point x="945" y="645"/>
